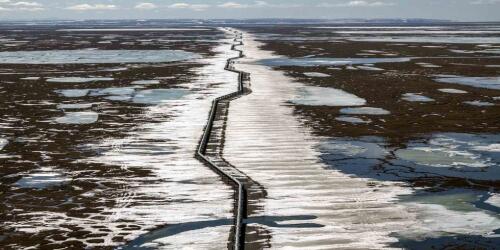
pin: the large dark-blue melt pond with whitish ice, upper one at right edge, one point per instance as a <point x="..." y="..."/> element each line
<point x="458" y="155"/>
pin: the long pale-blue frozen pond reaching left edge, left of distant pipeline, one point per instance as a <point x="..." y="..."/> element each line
<point x="94" y="56"/>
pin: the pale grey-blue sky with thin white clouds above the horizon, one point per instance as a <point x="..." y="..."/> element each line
<point x="458" y="10"/>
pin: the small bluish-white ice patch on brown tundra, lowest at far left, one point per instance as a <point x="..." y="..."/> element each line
<point x="41" y="179"/>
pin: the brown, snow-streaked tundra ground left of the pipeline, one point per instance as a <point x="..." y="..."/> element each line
<point x="98" y="132"/>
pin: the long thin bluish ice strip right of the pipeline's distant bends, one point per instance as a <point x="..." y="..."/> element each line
<point x="307" y="62"/>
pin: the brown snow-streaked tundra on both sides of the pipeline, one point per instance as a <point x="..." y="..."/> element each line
<point x="359" y="137"/>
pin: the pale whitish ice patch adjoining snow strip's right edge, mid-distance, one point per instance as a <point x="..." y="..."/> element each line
<point x="319" y="96"/>
